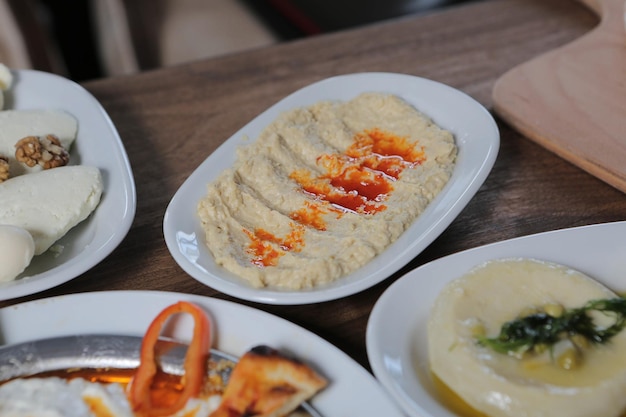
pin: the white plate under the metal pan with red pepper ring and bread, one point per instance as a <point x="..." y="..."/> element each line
<point x="352" y="390"/>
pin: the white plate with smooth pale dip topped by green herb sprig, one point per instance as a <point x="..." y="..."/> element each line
<point x="445" y="354"/>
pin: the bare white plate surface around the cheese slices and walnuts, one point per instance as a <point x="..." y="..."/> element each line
<point x="98" y="144"/>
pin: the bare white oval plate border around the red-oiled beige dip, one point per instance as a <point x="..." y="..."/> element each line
<point x="478" y="141"/>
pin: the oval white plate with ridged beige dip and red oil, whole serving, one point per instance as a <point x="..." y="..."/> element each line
<point x="332" y="189"/>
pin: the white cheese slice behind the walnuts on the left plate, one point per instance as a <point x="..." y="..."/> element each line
<point x="17" y="124"/>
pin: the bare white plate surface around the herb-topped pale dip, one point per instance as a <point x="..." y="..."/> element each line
<point x="398" y="352"/>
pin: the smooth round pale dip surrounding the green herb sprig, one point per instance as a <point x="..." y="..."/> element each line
<point x="502" y="385"/>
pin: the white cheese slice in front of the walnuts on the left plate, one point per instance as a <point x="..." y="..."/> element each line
<point x="49" y="203"/>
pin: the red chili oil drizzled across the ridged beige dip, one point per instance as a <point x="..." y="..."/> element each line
<point x="358" y="181"/>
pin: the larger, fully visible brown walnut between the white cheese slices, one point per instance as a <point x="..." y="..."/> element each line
<point x="45" y="151"/>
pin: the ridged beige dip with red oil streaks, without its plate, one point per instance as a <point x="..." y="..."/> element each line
<point x="324" y="189"/>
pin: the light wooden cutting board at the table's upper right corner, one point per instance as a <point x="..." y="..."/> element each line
<point x="572" y="100"/>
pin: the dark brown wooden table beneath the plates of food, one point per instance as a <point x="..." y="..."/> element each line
<point x="170" y="120"/>
